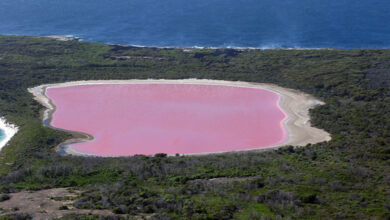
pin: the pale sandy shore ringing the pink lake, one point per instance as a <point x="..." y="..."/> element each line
<point x="294" y="104"/>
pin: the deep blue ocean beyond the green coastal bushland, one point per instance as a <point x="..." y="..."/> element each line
<point x="216" y="23"/>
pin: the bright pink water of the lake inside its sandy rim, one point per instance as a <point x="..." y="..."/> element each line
<point x="129" y="119"/>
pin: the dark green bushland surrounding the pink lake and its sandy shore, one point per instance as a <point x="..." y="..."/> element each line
<point x="346" y="178"/>
